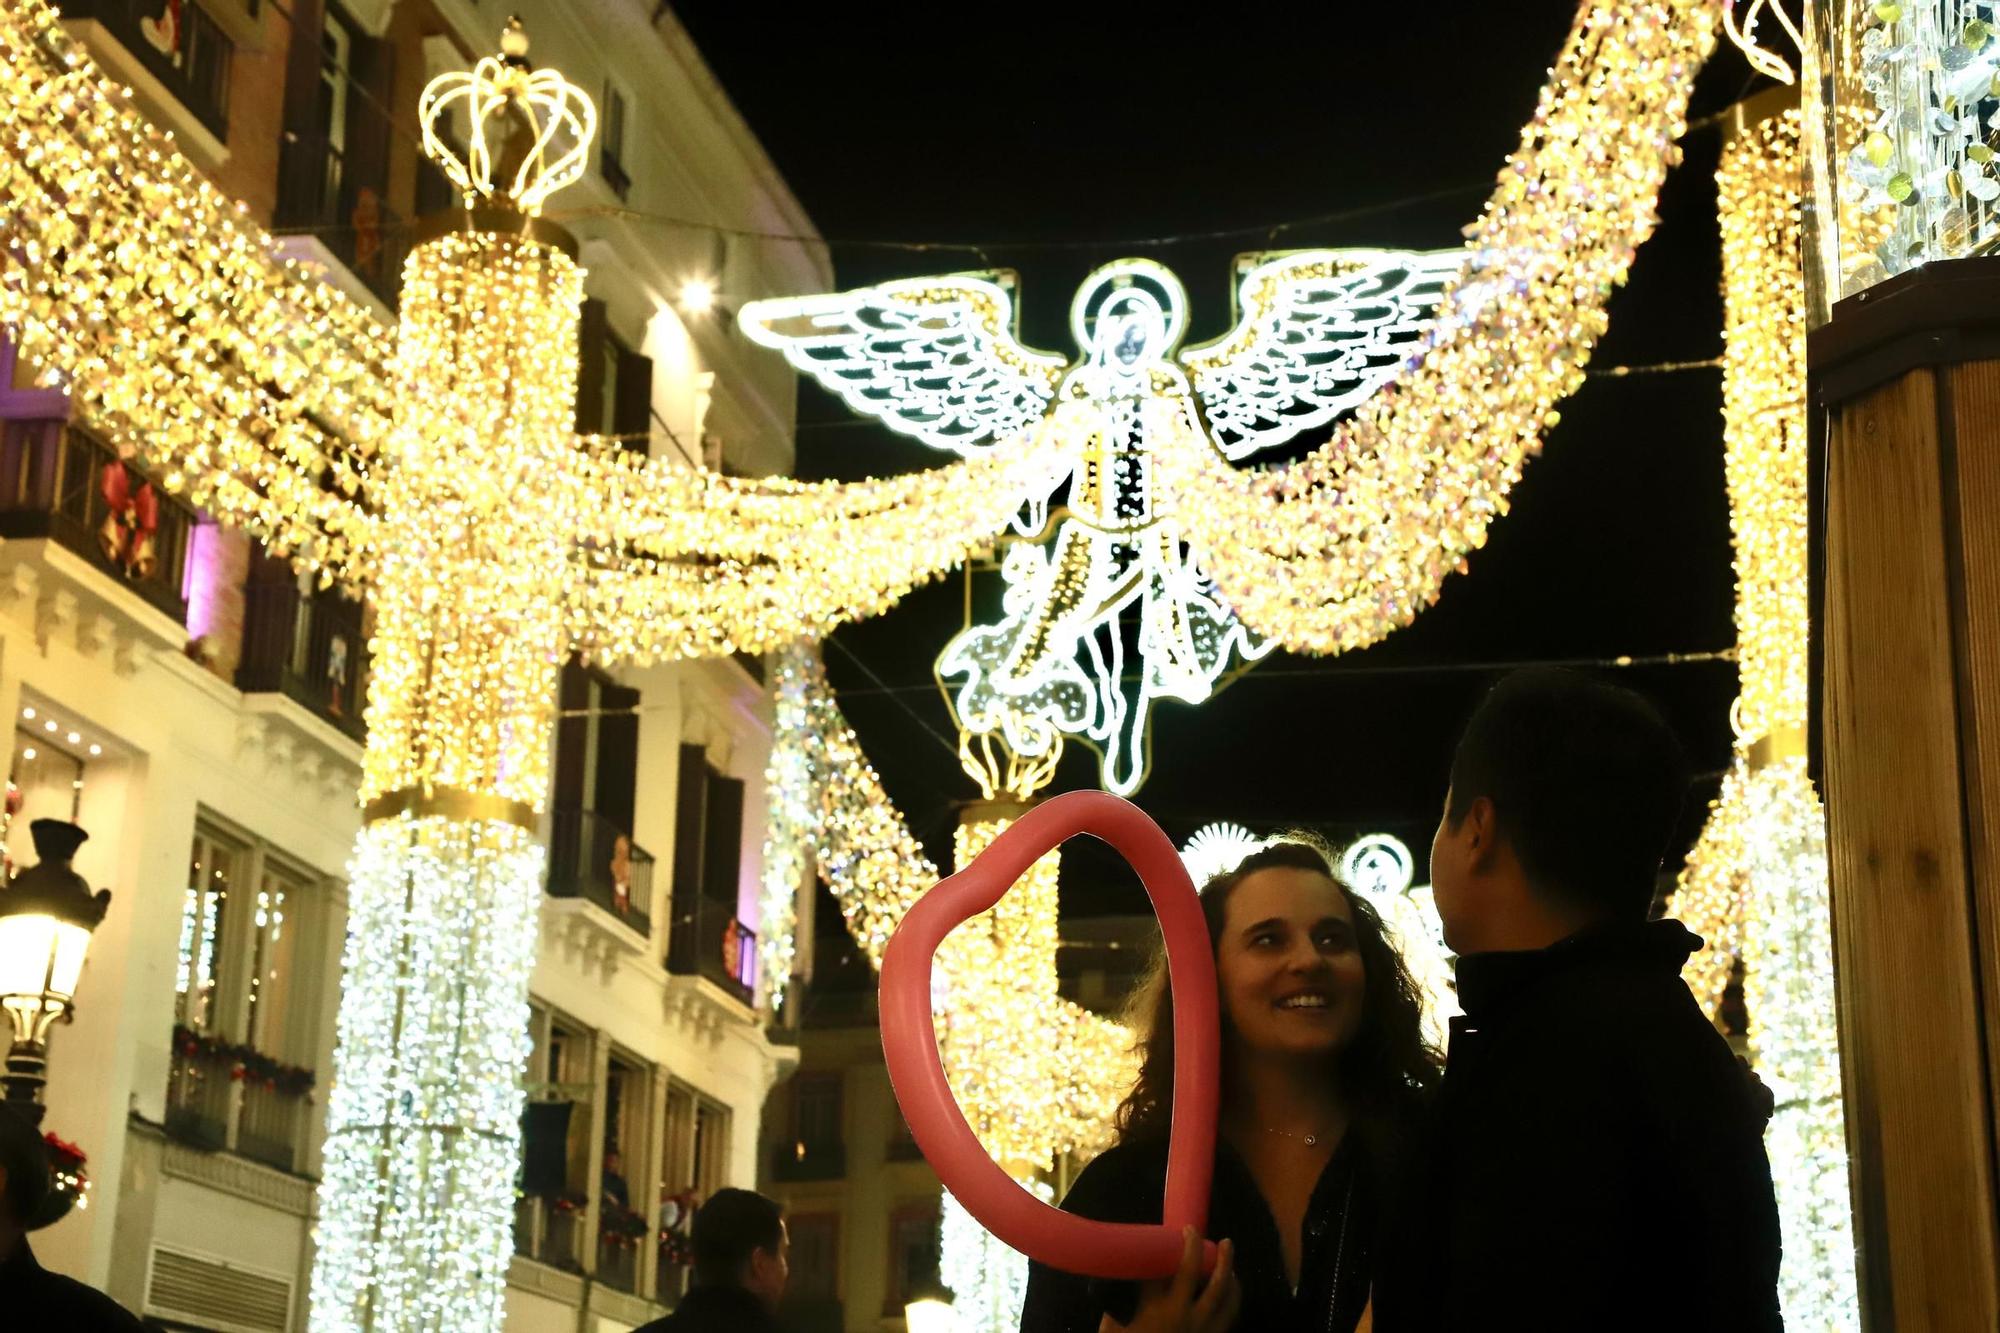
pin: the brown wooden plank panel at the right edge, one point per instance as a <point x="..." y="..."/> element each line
<point x="1905" y="932"/>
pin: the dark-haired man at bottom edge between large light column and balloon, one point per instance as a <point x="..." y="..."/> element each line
<point x="741" y="1266"/>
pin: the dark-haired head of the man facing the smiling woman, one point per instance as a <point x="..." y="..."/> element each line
<point x="1563" y="798"/>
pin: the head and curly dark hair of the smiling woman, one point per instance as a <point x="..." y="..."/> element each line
<point x="1307" y="980"/>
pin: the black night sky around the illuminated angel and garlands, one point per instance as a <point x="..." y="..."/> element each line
<point x="1049" y="143"/>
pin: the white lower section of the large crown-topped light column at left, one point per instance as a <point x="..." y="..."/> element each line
<point x="423" y="1120"/>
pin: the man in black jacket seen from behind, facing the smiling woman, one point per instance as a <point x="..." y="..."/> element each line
<point x="1599" y="1156"/>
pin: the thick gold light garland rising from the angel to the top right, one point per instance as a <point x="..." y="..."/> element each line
<point x="1353" y="541"/>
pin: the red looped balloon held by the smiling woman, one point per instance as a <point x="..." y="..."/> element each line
<point x="909" y="1042"/>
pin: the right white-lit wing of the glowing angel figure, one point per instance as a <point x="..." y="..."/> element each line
<point x="1317" y="333"/>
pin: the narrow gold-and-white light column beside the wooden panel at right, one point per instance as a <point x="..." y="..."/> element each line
<point x="1757" y="882"/>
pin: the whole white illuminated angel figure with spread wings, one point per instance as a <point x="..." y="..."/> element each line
<point x="1097" y="567"/>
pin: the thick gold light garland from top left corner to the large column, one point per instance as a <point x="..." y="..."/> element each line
<point x="241" y="379"/>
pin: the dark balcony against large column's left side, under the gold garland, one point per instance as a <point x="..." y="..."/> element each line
<point x="307" y="647"/>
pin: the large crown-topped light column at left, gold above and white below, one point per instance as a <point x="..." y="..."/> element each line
<point x="425" y="1112"/>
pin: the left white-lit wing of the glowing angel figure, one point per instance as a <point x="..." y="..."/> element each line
<point x="929" y="357"/>
